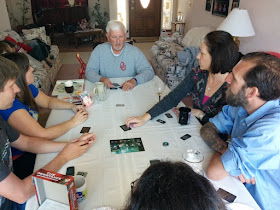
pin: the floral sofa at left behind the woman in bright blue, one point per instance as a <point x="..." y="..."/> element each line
<point x="43" y="79"/>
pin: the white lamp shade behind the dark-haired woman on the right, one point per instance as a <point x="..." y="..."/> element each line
<point x="238" y="23"/>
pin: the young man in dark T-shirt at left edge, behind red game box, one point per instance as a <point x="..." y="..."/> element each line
<point x="12" y="189"/>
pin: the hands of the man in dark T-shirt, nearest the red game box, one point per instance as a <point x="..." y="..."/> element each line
<point x="77" y="147"/>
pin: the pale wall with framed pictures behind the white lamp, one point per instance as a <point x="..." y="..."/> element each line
<point x="265" y="18"/>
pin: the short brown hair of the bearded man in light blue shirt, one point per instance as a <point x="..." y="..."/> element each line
<point x="265" y="74"/>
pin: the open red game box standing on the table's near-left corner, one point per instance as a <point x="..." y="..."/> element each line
<point x="56" y="187"/>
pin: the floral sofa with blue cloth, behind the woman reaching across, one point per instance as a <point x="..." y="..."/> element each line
<point x="174" y="56"/>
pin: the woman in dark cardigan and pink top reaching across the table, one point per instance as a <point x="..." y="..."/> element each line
<point x="218" y="55"/>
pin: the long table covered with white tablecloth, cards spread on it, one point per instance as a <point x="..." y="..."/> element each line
<point x="109" y="175"/>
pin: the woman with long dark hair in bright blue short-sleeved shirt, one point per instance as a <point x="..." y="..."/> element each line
<point x="23" y="114"/>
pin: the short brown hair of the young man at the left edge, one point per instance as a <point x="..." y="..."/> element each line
<point x="8" y="71"/>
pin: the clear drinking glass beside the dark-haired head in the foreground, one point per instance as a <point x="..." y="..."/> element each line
<point x="194" y="159"/>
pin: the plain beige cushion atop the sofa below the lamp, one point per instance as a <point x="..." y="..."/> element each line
<point x="195" y="36"/>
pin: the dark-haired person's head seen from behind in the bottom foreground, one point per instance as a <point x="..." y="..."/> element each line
<point x="172" y="185"/>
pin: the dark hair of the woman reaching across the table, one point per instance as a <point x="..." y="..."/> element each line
<point x="223" y="50"/>
